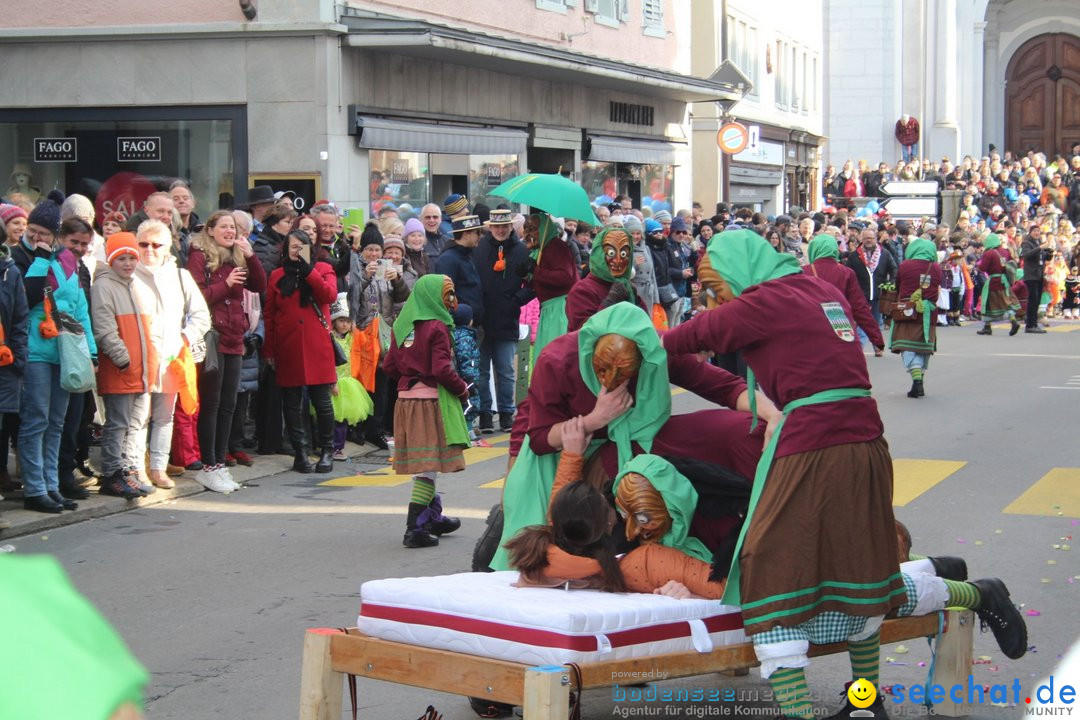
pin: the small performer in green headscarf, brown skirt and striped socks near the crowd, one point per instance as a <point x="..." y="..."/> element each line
<point x="430" y="430"/>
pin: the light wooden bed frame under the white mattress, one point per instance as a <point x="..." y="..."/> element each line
<point x="544" y="692"/>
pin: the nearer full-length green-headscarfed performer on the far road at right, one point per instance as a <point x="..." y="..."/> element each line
<point x="915" y="321"/>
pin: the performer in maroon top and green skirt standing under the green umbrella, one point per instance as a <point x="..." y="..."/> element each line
<point x="553" y="278"/>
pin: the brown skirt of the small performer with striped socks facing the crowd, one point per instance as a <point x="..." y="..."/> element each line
<point x="421" y="442"/>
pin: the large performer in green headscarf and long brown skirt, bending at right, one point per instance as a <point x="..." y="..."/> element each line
<point x="826" y="476"/>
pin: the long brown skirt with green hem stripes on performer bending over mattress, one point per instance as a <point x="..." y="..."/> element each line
<point x="822" y="539"/>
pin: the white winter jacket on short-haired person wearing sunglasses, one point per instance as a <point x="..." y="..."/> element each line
<point x="180" y="314"/>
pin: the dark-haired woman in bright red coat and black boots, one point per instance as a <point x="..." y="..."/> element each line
<point x="299" y="346"/>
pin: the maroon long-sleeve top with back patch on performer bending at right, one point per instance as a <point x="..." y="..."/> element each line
<point x="786" y="336"/>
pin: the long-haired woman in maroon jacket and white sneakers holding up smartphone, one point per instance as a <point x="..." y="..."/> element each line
<point x="224" y="265"/>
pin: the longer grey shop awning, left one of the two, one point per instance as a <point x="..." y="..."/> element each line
<point x="390" y="134"/>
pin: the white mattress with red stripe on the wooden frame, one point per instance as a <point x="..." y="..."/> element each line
<point x="482" y="614"/>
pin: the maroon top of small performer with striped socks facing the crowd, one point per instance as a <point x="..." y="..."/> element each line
<point x="426" y="358"/>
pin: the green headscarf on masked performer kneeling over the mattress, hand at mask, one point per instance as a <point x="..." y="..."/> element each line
<point x="653" y="401"/>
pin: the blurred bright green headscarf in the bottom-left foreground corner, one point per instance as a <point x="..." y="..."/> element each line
<point x="60" y="630"/>
